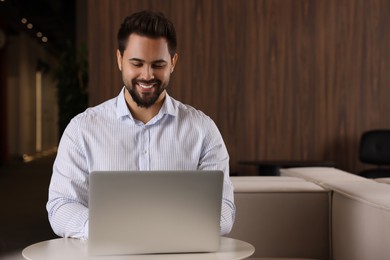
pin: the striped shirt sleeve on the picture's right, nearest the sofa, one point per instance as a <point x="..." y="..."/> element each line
<point x="215" y="157"/>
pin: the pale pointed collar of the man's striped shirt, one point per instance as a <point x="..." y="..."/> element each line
<point x="123" y="111"/>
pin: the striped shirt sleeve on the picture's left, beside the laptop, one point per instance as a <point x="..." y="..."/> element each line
<point x="67" y="204"/>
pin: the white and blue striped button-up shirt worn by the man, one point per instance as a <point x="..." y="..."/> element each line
<point x="107" y="137"/>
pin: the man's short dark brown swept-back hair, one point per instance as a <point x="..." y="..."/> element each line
<point x="149" y="24"/>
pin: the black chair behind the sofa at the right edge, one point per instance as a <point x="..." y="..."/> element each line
<point x="374" y="148"/>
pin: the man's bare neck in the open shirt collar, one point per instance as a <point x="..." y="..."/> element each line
<point x="141" y="113"/>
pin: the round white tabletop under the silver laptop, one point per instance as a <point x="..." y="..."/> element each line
<point x="75" y="249"/>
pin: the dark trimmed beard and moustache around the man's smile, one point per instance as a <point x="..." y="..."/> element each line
<point x="146" y="99"/>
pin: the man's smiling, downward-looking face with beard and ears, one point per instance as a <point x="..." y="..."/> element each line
<point x="146" y="66"/>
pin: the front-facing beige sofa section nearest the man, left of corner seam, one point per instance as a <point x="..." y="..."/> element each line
<point x="282" y="217"/>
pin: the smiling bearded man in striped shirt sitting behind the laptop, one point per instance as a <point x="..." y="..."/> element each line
<point x="143" y="128"/>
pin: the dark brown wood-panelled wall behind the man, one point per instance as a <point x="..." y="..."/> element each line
<point x="283" y="80"/>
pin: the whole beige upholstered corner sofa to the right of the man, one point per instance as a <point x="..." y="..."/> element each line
<point x="313" y="213"/>
